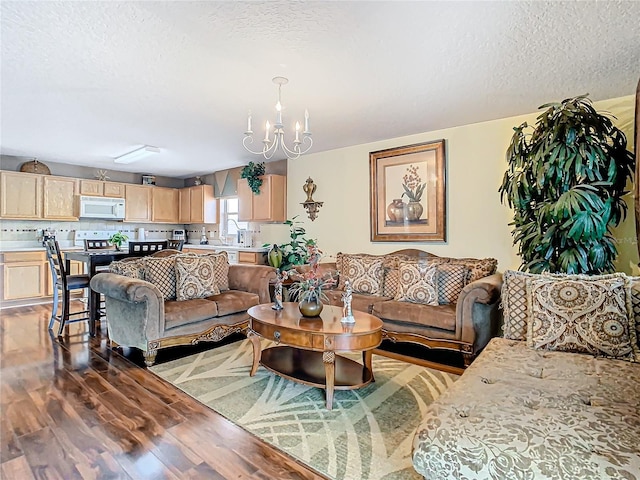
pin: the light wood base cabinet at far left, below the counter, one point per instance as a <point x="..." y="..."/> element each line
<point x="23" y="275"/>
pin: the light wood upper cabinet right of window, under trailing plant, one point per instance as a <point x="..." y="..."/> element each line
<point x="268" y="206"/>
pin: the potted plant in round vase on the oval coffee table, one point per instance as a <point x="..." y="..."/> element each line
<point x="309" y="284"/>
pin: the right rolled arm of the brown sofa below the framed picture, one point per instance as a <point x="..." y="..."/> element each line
<point x="477" y="310"/>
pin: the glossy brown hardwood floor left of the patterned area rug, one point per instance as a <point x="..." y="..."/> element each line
<point x="71" y="407"/>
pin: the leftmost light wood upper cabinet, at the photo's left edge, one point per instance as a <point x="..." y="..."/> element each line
<point x="20" y="195"/>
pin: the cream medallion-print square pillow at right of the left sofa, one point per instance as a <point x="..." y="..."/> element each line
<point x="195" y="277"/>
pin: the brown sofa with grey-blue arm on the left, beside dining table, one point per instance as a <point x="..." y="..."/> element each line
<point x="149" y="316"/>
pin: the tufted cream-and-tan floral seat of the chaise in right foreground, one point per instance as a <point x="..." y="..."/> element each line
<point x="518" y="413"/>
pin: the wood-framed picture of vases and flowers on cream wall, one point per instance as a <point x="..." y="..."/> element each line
<point x="408" y="197"/>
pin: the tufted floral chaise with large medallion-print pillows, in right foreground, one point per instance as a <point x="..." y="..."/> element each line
<point x="559" y="398"/>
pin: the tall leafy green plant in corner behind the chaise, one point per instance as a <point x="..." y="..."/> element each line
<point x="565" y="182"/>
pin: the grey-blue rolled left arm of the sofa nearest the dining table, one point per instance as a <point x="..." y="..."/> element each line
<point x="135" y="308"/>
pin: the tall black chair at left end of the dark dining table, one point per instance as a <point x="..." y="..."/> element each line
<point x="64" y="283"/>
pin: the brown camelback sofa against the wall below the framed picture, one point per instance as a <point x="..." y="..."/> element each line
<point x="462" y="321"/>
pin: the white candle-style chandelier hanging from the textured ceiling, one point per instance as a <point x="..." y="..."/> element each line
<point x="271" y="145"/>
